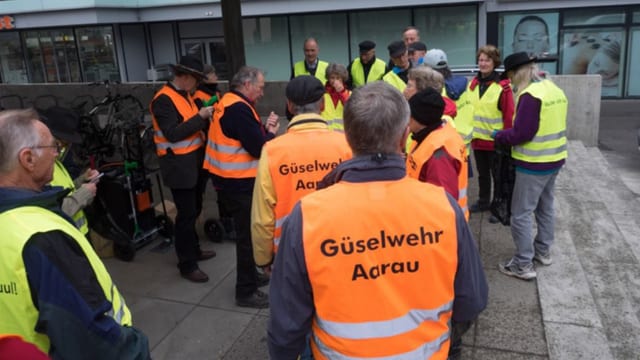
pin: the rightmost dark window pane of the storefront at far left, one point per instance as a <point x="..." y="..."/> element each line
<point x="97" y="53"/>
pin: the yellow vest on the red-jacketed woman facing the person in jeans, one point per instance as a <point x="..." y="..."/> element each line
<point x="486" y="116"/>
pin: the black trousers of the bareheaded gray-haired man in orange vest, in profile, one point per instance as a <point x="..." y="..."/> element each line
<point x="238" y="204"/>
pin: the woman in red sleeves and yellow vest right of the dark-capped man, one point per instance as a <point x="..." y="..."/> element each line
<point x="336" y="96"/>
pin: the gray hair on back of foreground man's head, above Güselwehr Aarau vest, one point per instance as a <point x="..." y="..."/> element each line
<point x="375" y="119"/>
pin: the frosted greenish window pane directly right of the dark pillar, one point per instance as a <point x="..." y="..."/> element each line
<point x="266" y="46"/>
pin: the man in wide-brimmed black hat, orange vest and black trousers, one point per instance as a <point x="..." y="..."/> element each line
<point x="179" y="139"/>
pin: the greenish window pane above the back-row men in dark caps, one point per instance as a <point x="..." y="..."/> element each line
<point x="379" y="26"/>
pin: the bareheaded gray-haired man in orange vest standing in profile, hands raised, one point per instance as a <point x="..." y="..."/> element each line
<point x="235" y="141"/>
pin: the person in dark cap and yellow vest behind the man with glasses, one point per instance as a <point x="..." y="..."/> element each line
<point x="82" y="190"/>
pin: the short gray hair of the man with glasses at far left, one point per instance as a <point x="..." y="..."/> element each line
<point x="17" y="131"/>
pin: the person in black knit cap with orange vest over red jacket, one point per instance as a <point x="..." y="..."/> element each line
<point x="438" y="154"/>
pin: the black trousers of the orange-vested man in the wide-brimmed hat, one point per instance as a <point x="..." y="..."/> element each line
<point x="188" y="207"/>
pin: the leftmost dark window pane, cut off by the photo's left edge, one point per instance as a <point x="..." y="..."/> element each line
<point x="12" y="67"/>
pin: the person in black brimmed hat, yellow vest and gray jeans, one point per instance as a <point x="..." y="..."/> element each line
<point x="539" y="149"/>
